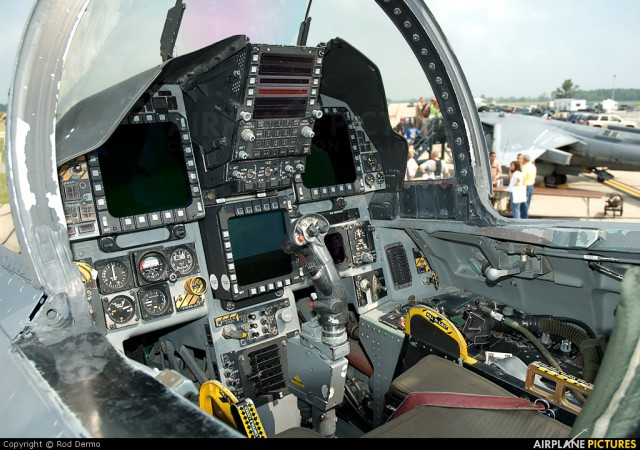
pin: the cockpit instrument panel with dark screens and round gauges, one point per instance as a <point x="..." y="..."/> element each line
<point x="182" y="220"/>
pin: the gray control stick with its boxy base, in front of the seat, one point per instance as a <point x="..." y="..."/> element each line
<point x="317" y="357"/>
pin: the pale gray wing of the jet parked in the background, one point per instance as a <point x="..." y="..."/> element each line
<point x="511" y="134"/>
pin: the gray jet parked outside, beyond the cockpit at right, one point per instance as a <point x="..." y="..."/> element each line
<point x="561" y="148"/>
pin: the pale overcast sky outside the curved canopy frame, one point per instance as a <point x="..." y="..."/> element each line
<point x="506" y="47"/>
